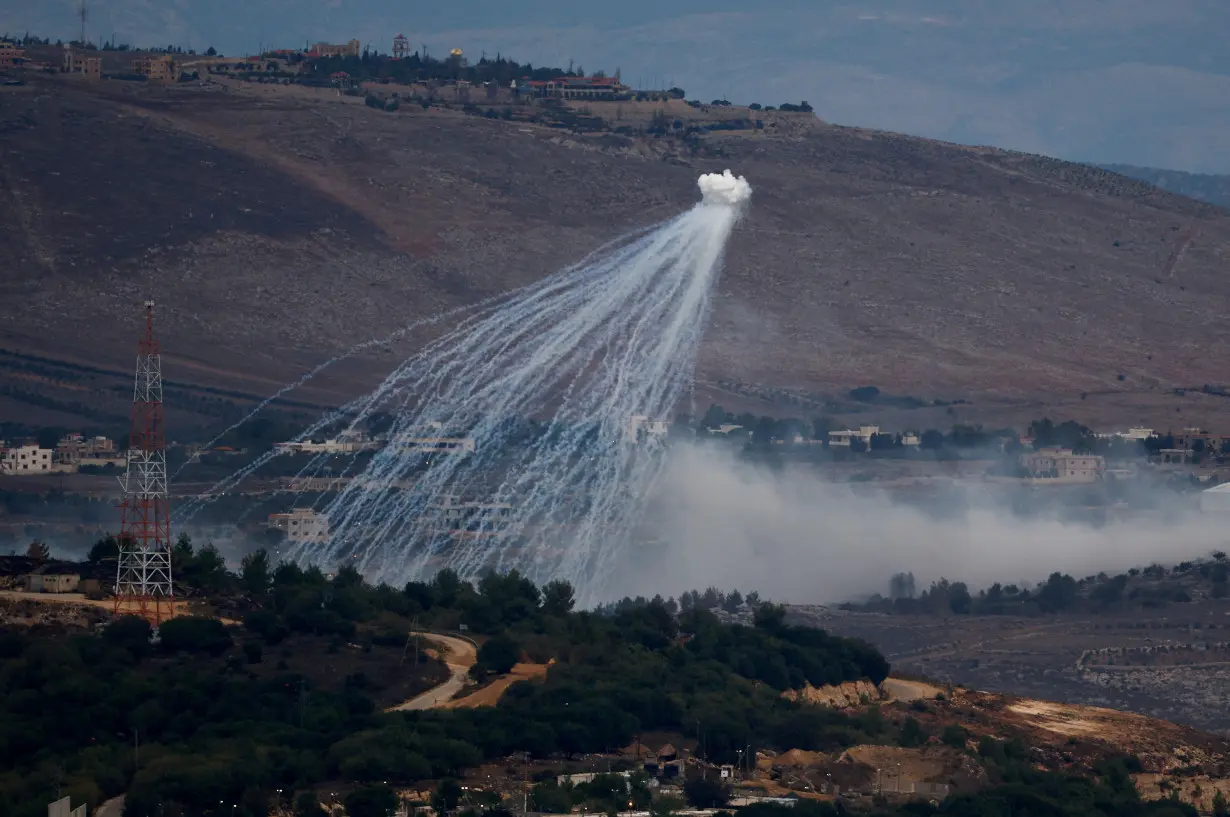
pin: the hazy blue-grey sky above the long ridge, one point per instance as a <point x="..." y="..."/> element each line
<point x="1138" y="82"/>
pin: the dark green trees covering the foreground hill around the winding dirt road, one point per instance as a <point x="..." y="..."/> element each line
<point x="212" y="730"/>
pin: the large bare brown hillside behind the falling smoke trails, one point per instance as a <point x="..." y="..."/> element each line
<point x="279" y="227"/>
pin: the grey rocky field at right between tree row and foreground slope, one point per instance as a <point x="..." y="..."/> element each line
<point x="1049" y="658"/>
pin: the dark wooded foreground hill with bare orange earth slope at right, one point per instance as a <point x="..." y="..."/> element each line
<point x="286" y="708"/>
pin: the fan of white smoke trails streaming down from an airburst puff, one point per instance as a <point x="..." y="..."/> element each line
<point x="547" y="472"/>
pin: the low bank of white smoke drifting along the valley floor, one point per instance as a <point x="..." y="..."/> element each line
<point x="796" y="538"/>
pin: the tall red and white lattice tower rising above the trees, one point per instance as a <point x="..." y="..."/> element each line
<point x="143" y="578"/>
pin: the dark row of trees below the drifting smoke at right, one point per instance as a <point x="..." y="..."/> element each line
<point x="1158" y="586"/>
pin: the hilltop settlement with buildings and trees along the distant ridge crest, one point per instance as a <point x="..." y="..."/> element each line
<point x="491" y="87"/>
